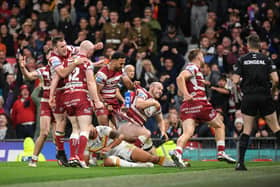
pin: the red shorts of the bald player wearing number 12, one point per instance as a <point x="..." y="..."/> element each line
<point x="77" y="103"/>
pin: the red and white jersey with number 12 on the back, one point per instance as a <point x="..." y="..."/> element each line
<point x="76" y="80"/>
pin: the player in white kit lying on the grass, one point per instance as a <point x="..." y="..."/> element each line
<point x="117" y="152"/>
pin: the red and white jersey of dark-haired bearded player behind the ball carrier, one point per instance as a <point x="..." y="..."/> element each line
<point x="109" y="79"/>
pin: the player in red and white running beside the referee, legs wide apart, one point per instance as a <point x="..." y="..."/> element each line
<point x="196" y="108"/>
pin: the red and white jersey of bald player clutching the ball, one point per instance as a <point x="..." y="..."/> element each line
<point x="137" y="115"/>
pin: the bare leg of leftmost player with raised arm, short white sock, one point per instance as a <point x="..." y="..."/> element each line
<point x="45" y="122"/>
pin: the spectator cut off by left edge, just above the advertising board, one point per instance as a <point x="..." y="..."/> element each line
<point x="6" y="129"/>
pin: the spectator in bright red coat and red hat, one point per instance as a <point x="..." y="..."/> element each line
<point x="24" y="124"/>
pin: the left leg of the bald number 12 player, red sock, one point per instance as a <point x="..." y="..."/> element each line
<point x="74" y="140"/>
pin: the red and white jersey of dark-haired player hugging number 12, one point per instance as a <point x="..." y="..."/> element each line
<point x="56" y="60"/>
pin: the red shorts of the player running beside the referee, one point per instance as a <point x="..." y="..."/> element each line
<point x="200" y="111"/>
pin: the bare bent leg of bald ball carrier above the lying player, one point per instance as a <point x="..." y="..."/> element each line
<point x="138" y="135"/>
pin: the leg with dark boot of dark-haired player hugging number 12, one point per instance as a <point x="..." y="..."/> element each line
<point x="59" y="139"/>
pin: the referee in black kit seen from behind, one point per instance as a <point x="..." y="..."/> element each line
<point x="259" y="82"/>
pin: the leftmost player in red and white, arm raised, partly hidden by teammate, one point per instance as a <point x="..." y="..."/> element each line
<point x="46" y="117"/>
